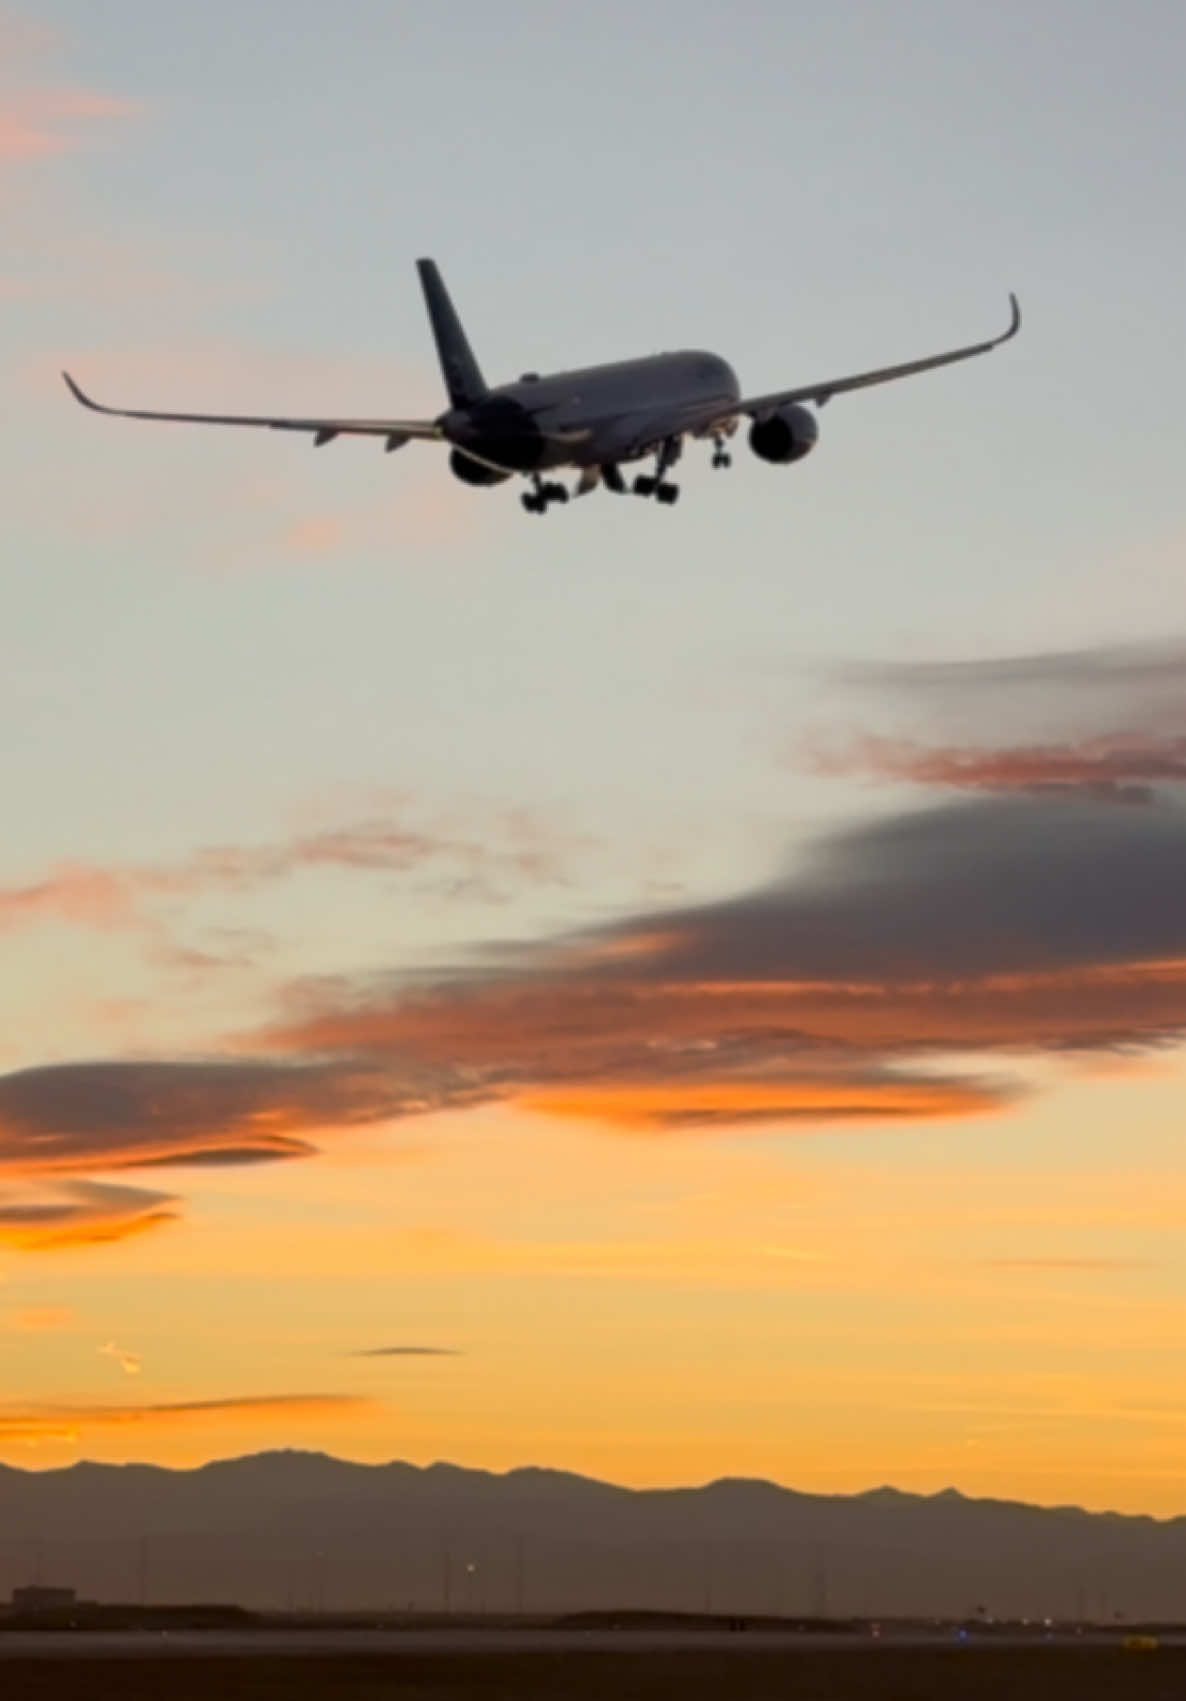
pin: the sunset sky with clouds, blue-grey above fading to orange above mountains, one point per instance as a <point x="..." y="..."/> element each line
<point x="661" y="994"/>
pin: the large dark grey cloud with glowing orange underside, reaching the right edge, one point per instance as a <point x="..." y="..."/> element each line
<point x="986" y="926"/>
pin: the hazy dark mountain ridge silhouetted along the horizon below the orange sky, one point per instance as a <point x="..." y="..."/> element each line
<point x="307" y="1530"/>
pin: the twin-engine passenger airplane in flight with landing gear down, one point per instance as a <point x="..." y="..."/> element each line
<point x="591" y="421"/>
